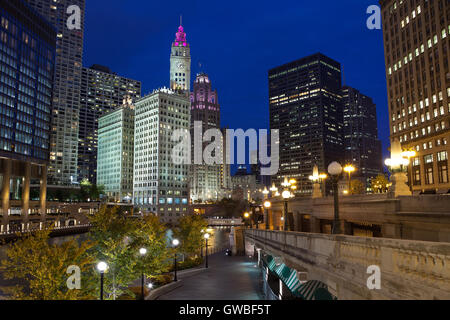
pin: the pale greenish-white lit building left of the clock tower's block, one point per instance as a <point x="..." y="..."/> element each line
<point x="116" y="152"/>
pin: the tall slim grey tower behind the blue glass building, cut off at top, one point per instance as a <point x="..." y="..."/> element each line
<point x="66" y="91"/>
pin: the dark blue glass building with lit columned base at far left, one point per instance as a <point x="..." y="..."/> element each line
<point x="27" y="60"/>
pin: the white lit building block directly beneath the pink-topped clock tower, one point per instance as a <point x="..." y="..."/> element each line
<point x="161" y="185"/>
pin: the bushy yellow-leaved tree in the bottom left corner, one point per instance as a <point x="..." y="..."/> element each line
<point x="40" y="268"/>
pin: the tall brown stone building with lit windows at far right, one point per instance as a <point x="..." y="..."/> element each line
<point x="417" y="44"/>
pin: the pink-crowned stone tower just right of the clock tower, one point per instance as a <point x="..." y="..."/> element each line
<point x="205" y="180"/>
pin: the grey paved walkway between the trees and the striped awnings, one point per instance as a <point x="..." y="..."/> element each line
<point x="227" y="278"/>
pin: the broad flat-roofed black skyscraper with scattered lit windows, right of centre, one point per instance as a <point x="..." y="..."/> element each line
<point x="305" y="106"/>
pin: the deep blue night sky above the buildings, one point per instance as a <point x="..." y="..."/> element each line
<point x="237" y="42"/>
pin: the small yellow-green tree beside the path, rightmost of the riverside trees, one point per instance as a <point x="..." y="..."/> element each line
<point x="189" y="231"/>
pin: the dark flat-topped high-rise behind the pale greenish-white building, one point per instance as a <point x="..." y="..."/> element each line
<point x="101" y="91"/>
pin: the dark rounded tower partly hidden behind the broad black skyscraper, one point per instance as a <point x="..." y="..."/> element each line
<point x="362" y="146"/>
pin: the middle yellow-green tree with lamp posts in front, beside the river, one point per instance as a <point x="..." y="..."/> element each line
<point x="119" y="238"/>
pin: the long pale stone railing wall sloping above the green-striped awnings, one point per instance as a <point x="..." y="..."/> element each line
<point x="409" y="269"/>
